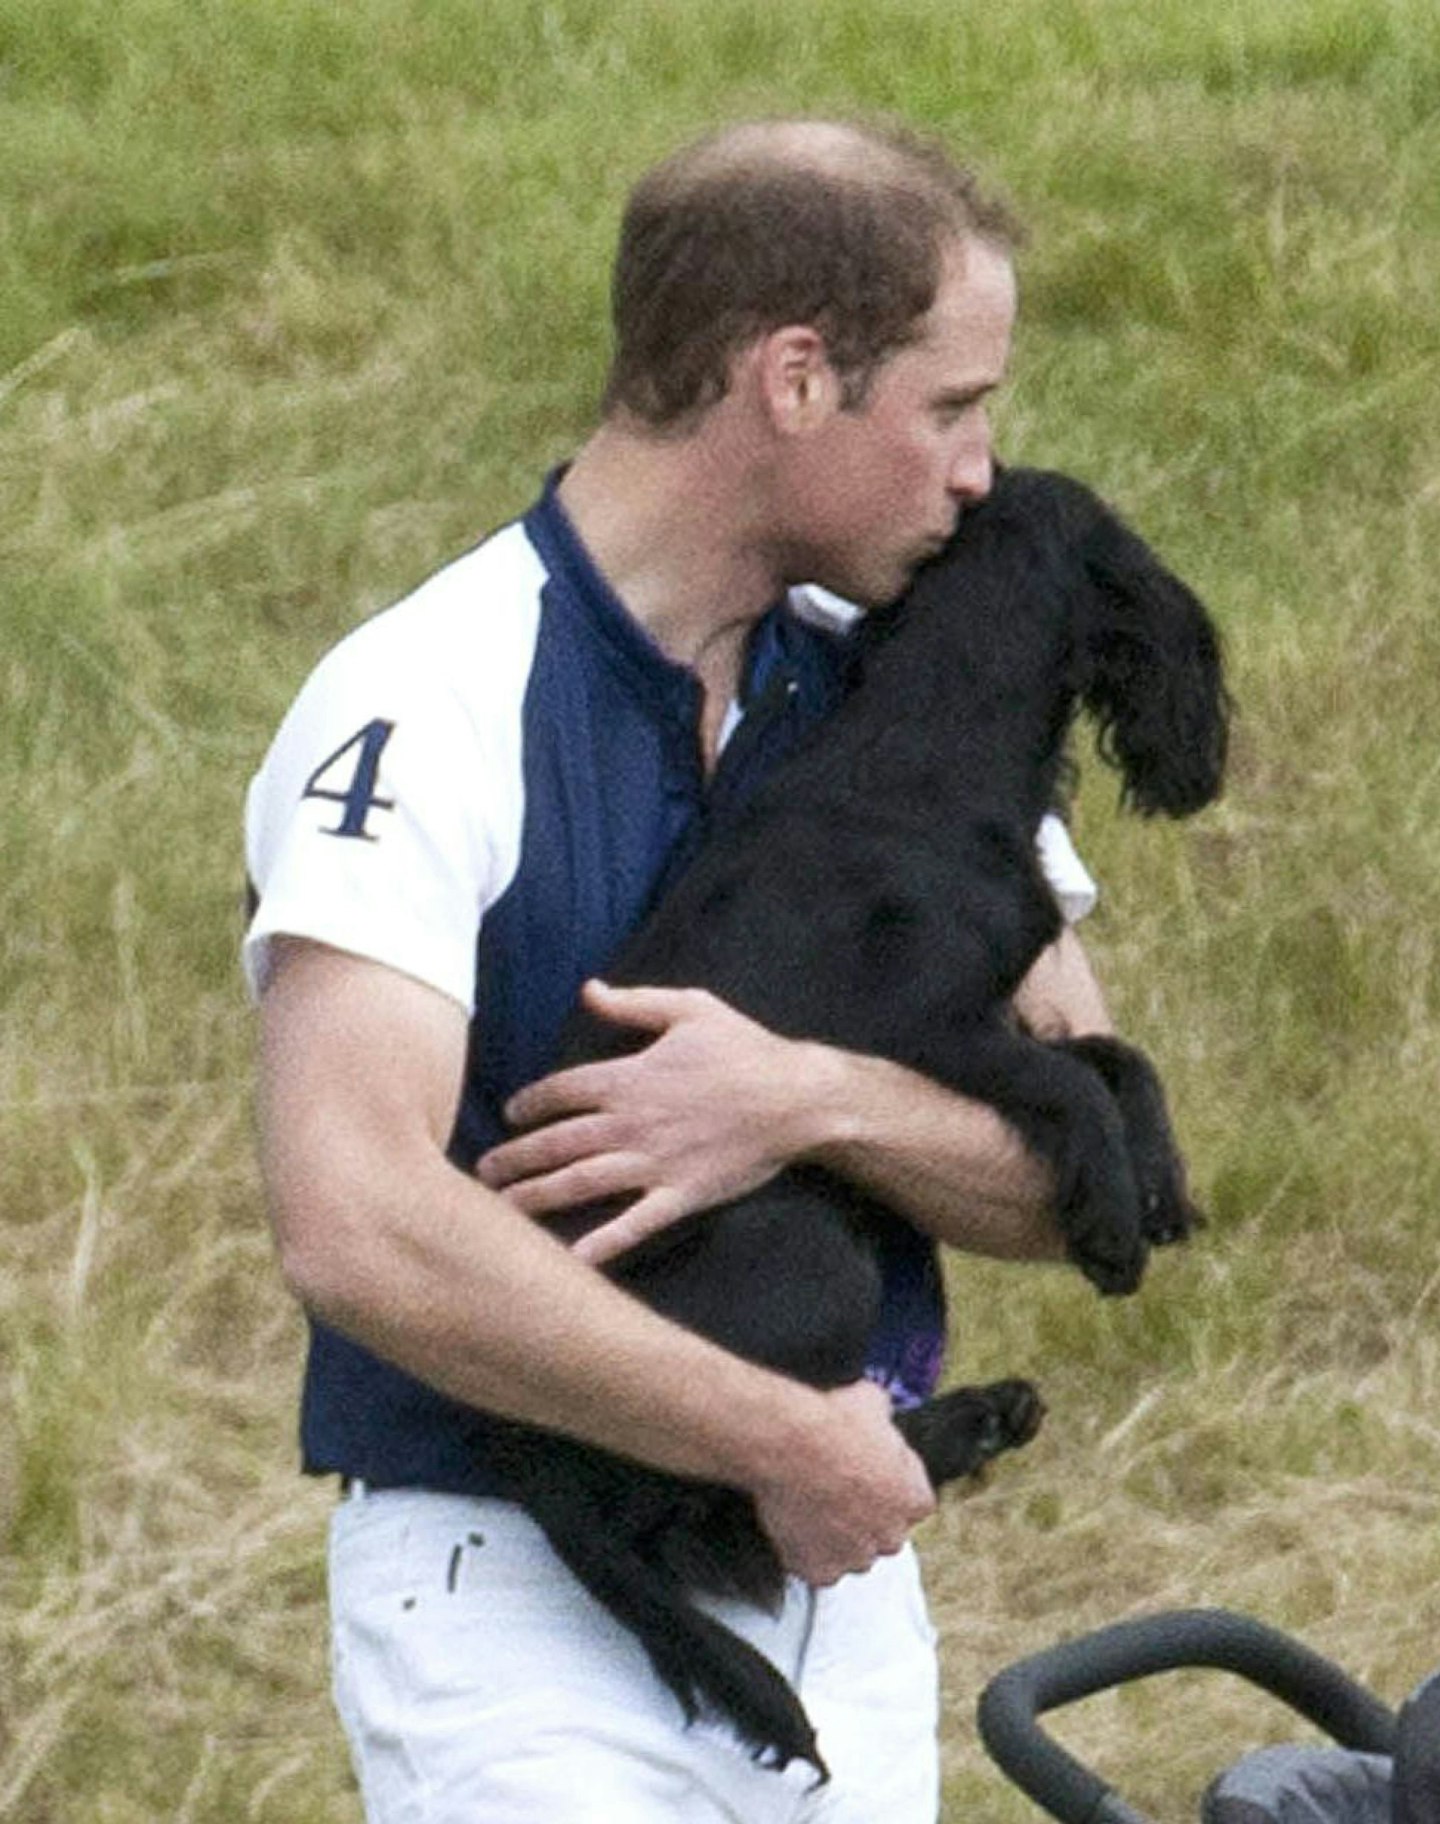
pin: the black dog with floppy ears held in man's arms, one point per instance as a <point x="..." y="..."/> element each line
<point x="882" y="895"/>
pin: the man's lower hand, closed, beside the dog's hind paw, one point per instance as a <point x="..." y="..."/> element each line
<point x="857" y="1502"/>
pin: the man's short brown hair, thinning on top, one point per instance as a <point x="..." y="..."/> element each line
<point x="837" y="225"/>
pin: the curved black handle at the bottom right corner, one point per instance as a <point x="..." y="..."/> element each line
<point x="1012" y="1703"/>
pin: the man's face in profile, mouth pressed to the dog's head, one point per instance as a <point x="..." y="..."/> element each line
<point x="881" y="488"/>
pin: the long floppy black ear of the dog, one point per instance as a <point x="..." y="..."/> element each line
<point x="1153" y="676"/>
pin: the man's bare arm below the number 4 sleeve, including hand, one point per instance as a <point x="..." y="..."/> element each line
<point x="388" y="1243"/>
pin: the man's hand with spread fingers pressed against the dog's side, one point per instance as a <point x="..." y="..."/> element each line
<point x="709" y="1112"/>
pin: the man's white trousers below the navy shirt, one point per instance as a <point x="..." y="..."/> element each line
<point x="481" y="1684"/>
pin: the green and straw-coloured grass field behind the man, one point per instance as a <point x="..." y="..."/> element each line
<point x="297" y="300"/>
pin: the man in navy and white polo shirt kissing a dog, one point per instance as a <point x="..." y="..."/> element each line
<point x="472" y="803"/>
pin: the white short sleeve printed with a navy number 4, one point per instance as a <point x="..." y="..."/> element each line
<point x="386" y="818"/>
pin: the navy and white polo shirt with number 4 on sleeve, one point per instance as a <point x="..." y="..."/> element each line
<point x="486" y="787"/>
